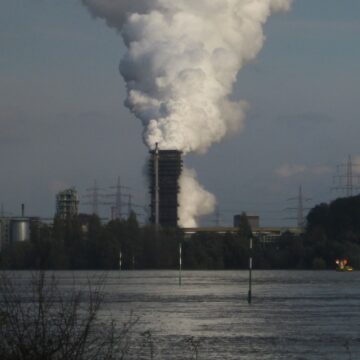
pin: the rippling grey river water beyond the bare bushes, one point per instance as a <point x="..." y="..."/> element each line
<point x="294" y="314"/>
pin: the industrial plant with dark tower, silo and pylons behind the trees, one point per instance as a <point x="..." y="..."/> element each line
<point x="164" y="171"/>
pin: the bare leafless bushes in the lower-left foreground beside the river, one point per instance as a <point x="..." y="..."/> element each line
<point x="39" y="320"/>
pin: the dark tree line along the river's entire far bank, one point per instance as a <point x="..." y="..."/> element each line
<point x="332" y="231"/>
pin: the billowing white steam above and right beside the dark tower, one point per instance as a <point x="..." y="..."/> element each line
<point x="182" y="61"/>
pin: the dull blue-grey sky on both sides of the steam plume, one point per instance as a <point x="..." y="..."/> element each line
<point x="63" y="122"/>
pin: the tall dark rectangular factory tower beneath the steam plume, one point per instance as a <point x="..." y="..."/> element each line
<point x="164" y="171"/>
